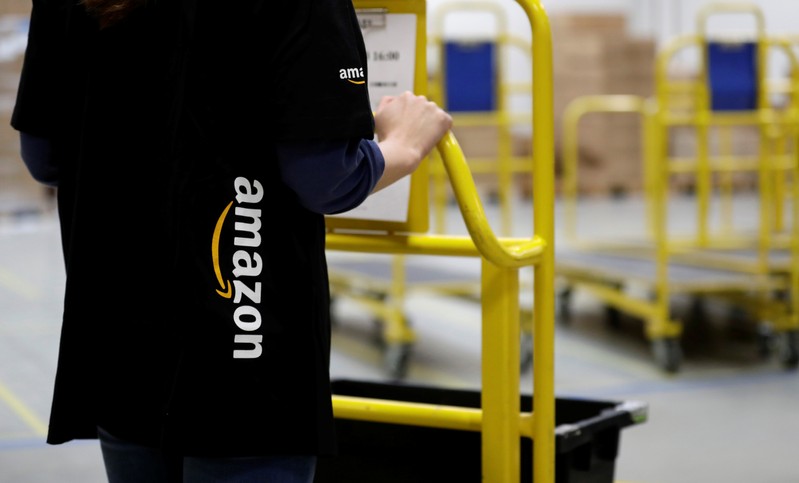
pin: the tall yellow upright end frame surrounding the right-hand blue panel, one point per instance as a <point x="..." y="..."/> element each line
<point x="774" y="128"/>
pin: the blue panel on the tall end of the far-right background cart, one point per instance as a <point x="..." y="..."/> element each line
<point x="732" y="75"/>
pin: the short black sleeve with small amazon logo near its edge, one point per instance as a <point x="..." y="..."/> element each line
<point x="320" y="86"/>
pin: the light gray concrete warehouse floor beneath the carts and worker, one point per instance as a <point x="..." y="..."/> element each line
<point x="728" y="416"/>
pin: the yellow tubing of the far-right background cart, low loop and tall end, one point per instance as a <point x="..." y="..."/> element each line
<point x="660" y="114"/>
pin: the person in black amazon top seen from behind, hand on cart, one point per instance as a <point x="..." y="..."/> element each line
<point x="195" y="150"/>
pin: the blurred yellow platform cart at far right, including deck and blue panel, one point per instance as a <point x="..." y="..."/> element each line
<point x="755" y="271"/>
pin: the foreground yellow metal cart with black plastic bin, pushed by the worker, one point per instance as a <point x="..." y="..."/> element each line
<point x="498" y="414"/>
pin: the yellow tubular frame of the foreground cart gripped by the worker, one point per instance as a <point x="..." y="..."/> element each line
<point x="499" y="419"/>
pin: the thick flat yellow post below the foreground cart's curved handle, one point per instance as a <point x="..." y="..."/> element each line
<point x="500" y="396"/>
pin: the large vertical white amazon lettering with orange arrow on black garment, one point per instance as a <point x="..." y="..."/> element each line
<point x="245" y="291"/>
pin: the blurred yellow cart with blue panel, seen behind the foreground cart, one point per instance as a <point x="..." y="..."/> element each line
<point x="381" y="284"/>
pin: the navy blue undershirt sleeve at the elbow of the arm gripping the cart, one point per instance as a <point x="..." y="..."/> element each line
<point x="333" y="176"/>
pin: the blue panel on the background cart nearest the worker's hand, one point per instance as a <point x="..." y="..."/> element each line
<point x="470" y="76"/>
